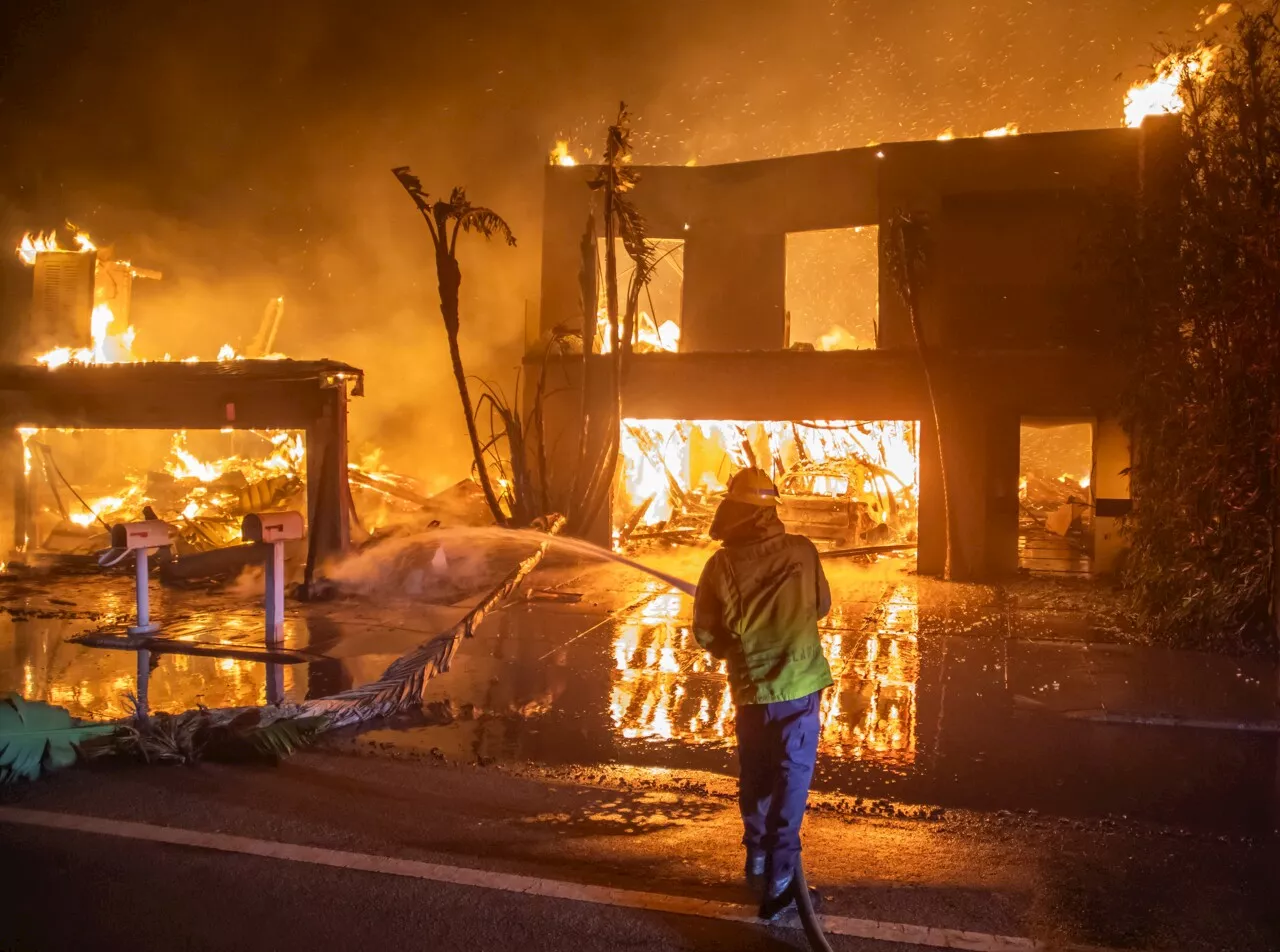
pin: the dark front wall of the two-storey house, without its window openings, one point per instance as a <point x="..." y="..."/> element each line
<point x="1013" y="301"/>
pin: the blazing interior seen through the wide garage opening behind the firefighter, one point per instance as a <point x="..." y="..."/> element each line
<point x="842" y="483"/>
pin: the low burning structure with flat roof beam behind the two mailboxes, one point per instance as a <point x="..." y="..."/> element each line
<point x="103" y="436"/>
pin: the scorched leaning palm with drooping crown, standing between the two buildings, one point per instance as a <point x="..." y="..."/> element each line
<point x="447" y="219"/>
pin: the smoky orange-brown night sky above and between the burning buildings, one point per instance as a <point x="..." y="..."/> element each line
<point x="244" y="148"/>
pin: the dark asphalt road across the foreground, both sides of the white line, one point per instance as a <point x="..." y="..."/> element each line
<point x="1113" y="885"/>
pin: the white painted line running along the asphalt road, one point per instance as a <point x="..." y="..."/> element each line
<point x="514" y="884"/>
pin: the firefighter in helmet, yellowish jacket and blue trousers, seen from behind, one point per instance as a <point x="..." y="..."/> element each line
<point x="757" y="607"/>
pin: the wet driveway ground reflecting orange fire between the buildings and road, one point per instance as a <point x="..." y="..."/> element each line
<point x="944" y="694"/>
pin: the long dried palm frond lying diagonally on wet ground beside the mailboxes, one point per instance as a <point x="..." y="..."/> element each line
<point x="401" y="685"/>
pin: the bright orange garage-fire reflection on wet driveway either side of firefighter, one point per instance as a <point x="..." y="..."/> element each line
<point x="666" y="689"/>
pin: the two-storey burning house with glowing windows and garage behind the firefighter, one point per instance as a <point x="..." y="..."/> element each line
<point x="776" y="335"/>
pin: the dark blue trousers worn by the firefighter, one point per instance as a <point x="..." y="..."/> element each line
<point x="778" y="748"/>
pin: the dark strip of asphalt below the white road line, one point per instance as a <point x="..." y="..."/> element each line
<point x="84" y="891"/>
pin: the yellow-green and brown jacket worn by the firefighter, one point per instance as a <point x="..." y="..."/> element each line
<point x="758" y="607"/>
